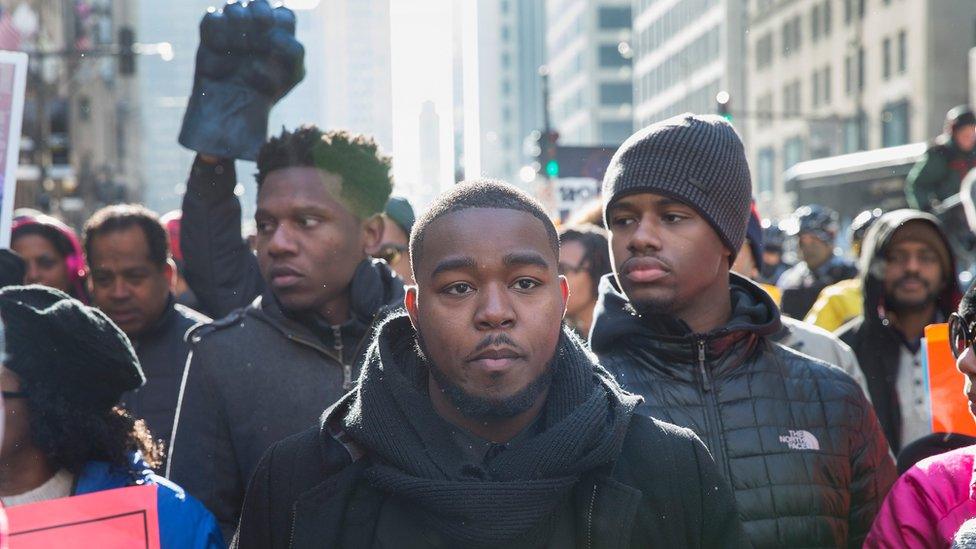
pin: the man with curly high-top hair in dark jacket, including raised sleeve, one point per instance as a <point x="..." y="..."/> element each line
<point x="268" y="370"/>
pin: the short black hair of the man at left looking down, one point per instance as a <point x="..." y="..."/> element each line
<point x="120" y="217"/>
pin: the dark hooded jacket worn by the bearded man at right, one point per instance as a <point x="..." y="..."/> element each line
<point x="875" y="342"/>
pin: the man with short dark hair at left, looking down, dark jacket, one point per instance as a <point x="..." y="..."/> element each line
<point x="131" y="280"/>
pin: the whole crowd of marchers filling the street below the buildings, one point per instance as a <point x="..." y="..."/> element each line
<point x="651" y="373"/>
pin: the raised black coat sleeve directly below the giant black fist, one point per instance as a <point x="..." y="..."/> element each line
<point x="219" y="266"/>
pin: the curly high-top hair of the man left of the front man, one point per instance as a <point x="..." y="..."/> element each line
<point x="357" y="159"/>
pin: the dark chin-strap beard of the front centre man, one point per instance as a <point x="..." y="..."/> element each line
<point x="483" y="408"/>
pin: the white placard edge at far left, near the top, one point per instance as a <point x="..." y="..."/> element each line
<point x="13" y="82"/>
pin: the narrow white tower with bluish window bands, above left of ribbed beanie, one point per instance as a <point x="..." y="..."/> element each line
<point x="590" y="55"/>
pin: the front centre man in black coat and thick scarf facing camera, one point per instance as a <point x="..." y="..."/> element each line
<point x="481" y="421"/>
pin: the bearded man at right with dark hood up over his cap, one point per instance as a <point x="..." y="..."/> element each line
<point x="909" y="281"/>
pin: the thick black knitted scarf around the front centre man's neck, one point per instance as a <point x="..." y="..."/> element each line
<point x="585" y="418"/>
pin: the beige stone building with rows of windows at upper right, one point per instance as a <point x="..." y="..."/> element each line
<point x="829" y="77"/>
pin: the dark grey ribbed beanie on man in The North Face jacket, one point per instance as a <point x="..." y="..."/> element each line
<point x="698" y="160"/>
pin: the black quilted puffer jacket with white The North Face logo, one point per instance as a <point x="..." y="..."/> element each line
<point x="796" y="438"/>
